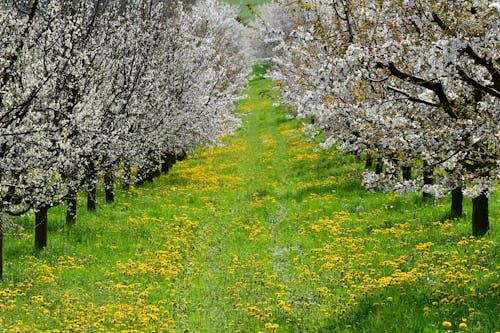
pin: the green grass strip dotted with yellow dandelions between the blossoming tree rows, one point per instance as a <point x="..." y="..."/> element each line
<point x="263" y="234"/>
